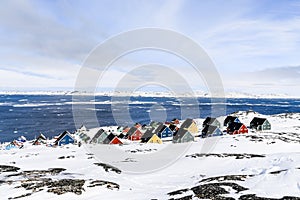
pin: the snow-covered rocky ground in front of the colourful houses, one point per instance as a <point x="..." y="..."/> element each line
<point x="248" y="166"/>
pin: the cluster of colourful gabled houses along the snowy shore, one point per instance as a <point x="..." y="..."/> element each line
<point x="175" y="131"/>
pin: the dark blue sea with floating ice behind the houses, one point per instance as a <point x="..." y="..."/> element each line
<point x="30" y="115"/>
